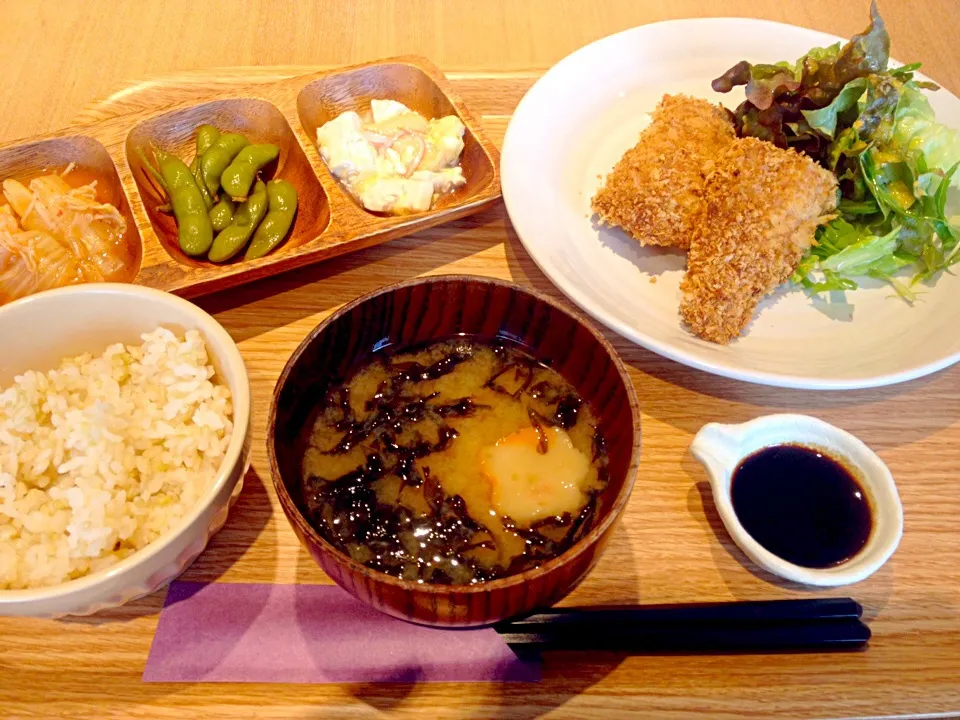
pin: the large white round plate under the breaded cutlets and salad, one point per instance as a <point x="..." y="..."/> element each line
<point x="575" y="123"/>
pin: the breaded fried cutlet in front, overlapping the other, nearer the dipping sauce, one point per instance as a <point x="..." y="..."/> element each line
<point x="761" y="205"/>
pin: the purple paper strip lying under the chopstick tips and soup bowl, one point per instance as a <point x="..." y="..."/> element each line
<point x="240" y="632"/>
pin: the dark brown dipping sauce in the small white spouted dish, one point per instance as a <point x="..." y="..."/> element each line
<point x="801" y="505"/>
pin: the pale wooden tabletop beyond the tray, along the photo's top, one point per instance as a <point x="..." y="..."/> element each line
<point x="60" y="55"/>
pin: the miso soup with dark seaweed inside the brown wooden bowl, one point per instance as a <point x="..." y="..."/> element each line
<point x="455" y="463"/>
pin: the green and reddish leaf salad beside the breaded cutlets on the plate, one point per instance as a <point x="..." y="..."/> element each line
<point x="873" y="127"/>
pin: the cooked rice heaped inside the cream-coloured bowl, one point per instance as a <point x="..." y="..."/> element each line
<point x="102" y="455"/>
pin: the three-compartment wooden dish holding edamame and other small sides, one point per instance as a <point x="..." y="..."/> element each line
<point x="286" y="112"/>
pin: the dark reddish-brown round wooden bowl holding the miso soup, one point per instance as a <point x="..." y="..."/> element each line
<point x="416" y="312"/>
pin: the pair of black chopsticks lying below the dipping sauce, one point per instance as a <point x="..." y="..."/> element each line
<point x="757" y="626"/>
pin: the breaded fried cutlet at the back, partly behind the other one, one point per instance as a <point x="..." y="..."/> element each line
<point x="655" y="191"/>
